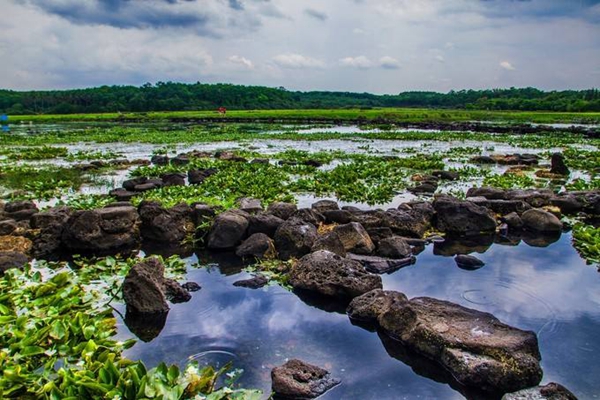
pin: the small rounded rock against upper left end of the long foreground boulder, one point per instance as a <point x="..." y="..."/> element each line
<point x="371" y="305"/>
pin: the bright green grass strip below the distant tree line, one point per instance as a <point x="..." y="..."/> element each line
<point x="392" y="115"/>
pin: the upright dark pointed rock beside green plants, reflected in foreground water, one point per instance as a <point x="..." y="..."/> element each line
<point x="143" y="288"/>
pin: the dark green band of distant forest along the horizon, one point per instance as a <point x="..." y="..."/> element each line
<point x="171" y="96"/>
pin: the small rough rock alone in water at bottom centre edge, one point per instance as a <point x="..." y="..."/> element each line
<point x="298" y="380"/>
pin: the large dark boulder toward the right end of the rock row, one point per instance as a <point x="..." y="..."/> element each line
<point x="462" y="217"/>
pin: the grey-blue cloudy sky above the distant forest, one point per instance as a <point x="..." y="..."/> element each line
<point x="381" y="46"/>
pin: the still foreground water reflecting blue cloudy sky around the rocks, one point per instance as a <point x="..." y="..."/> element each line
<point x="548" y="290"/>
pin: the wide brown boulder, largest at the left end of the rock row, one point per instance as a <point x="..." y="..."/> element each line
<point x="102" y="231"/>
